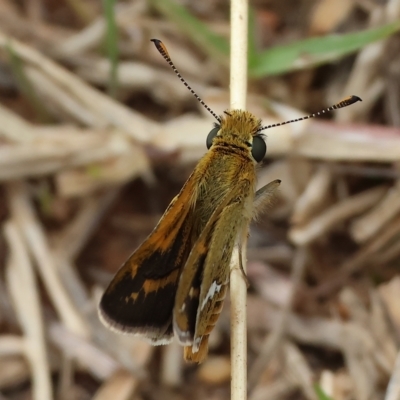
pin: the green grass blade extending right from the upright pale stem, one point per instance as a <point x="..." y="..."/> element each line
<point x="315" y="51"/>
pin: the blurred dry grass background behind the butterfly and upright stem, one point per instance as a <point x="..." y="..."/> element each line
<point x="97" y="135"/>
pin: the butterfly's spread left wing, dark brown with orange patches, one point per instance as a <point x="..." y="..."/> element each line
<point x="141" y="296"/>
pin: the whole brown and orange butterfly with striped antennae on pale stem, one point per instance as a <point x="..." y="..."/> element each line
<point x="176" y="281"/>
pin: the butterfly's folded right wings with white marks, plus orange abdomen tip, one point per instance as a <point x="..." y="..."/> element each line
<point x="197" y="307"/>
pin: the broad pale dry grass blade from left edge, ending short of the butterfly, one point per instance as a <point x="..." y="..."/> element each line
<point x="53" y="149"/>
